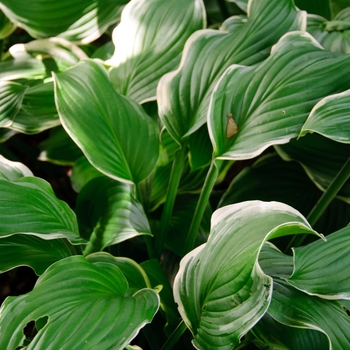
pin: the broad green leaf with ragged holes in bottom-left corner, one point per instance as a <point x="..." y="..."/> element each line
<point x="88" y="305"/>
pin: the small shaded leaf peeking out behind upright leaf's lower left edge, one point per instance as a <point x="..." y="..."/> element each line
<point x="82" y="173"/>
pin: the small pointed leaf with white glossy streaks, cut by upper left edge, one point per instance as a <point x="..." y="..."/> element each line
<point x="11" y="96"/>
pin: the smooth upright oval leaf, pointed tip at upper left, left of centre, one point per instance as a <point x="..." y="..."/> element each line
<point x="86" y="100"/>
